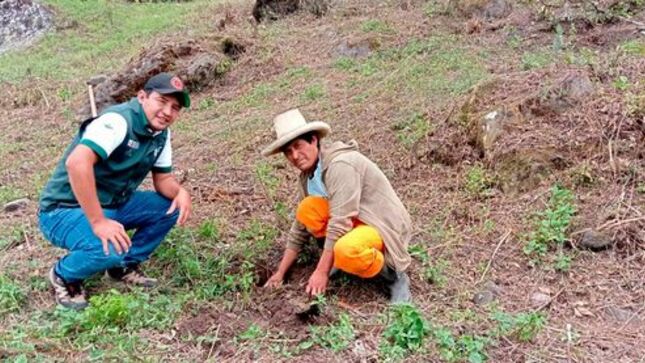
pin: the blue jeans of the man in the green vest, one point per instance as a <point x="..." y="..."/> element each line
<point x="69" y="228"/>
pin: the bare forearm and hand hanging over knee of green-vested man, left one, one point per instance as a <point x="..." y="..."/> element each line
<point x="80" y="168"/>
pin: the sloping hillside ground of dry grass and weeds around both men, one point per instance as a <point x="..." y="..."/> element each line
<point x="399" y="101"/>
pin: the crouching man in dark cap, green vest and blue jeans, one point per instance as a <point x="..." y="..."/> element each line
<point x="91" y="199"/>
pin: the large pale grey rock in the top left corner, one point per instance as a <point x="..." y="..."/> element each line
<point x="22" y="21"/>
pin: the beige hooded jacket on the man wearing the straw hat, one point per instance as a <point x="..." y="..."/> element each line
<point x="357" y="188"/>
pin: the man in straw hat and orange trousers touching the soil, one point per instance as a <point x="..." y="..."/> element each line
<point x="347" y="204"/>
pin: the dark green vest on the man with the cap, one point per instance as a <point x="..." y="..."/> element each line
<point x="118" y="175"/>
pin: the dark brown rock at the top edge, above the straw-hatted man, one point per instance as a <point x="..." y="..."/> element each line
<point x="276" y="9"/>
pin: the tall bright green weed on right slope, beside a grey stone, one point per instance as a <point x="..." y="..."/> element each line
<point x="552" y="224"/>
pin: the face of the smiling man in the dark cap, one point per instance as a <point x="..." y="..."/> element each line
<point x="161" y="110"/>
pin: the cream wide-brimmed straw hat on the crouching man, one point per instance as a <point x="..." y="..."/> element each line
<point x="291" y="124"/>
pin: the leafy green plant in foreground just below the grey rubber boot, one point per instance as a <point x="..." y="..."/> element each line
<point x="407" y="329"/>
